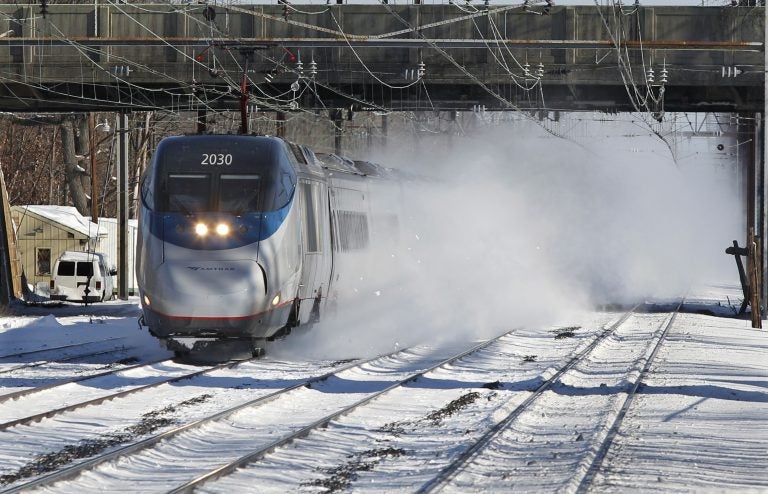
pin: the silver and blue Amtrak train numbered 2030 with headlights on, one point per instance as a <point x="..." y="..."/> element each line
<point x="243" y="237"/>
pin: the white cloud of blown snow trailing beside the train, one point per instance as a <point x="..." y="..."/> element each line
<point x="519" y="228"/>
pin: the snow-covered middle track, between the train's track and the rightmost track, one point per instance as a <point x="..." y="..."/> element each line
<point x="234" y="433"/>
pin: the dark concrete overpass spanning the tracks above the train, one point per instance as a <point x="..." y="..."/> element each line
<point x="109" y="56"/>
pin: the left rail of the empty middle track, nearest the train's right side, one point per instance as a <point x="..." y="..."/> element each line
<point x="75" y="470"/>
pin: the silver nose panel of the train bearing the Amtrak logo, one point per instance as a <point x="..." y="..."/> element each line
<point x="213" y="288"/>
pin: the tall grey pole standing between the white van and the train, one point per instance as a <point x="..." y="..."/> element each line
<point x="122" y="207"/>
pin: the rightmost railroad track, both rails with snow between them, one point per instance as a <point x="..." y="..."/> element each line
<point x="597" y="446"/>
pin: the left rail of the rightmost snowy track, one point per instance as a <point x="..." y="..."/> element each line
<point x="447" y="473"/>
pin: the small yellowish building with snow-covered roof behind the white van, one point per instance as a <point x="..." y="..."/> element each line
<point x="44" y="232"/>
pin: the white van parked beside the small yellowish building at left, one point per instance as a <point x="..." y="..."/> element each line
<point x="74" y="271"/>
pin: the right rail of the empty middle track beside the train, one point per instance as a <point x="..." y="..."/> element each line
<point x="321" y="423"/>
